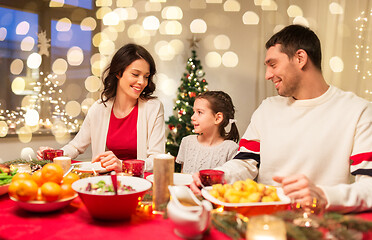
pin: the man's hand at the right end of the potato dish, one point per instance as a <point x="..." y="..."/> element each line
<point x="300" y="188"/>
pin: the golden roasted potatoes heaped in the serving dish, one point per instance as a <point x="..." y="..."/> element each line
<point x="244" y="192"/>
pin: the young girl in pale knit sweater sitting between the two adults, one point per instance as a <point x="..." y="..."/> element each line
<point x="217" y="134"/>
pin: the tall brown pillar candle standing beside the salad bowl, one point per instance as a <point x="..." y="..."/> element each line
<point x="163" y="177"/>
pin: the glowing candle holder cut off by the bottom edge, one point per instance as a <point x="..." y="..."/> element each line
<point x="266" y="227"/>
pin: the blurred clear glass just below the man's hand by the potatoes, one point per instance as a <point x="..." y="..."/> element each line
<point x="308" y="212"/>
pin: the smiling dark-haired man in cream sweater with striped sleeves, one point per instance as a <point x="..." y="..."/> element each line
<point x="312" y="136"/>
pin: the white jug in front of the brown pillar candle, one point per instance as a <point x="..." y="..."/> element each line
<point x="190" y="216"/>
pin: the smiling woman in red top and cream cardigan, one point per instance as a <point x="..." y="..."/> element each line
<point x="127" y="123"/>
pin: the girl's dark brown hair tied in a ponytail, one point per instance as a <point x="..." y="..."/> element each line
<point x="220" y="101"/>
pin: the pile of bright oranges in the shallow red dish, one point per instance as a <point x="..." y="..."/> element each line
<point x="47" y="184"/>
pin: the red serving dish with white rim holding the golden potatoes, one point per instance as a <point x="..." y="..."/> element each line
<point x="251" y="209"/>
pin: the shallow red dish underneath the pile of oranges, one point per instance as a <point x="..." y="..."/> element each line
<point x="41" y="206"/>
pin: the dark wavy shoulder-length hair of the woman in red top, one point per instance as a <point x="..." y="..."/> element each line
<point x="120" y="61"/>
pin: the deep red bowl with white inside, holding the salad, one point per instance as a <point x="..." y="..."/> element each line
<point x="112" y="207"/>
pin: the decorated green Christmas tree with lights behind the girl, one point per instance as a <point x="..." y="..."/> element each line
<point x="192" y="84"/>
